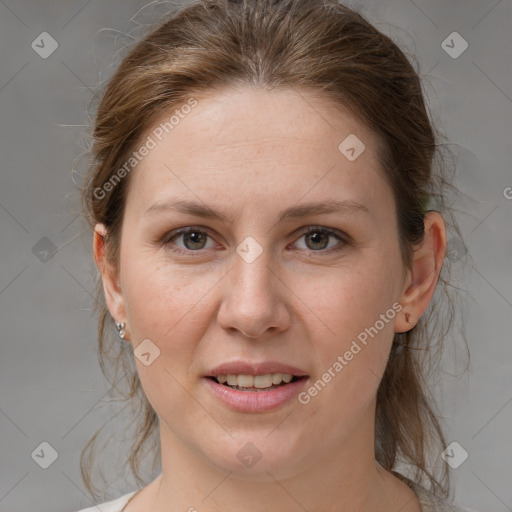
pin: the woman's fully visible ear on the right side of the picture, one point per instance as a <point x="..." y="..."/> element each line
<point x="422" y="279"/>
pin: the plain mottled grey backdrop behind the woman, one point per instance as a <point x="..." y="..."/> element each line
<point x="51" y="386"/>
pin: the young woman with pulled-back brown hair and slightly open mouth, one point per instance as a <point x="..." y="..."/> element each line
<point x="260" y="205"/>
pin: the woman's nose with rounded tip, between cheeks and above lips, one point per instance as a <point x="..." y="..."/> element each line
<point x="254" y="299"/>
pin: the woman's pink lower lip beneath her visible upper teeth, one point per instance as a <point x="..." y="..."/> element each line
<point x="256" y="401"/>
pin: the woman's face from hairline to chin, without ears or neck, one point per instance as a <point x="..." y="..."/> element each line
<point x="321" y="306"/>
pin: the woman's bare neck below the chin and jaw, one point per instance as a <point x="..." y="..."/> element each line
<point x="345" y="479"/>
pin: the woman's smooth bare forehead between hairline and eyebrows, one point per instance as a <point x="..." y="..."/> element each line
<point x="255" y="144"/>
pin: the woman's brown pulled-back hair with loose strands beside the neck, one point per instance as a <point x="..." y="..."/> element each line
<point x="318" y="46"/>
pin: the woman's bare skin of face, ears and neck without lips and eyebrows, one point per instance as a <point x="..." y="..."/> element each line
<point x="251" y="154"/>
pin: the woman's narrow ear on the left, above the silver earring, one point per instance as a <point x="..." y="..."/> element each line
<point x="109" y="275"/>
